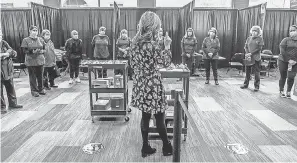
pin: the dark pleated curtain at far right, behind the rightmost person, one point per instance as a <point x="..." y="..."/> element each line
<point x="276" y="28"/>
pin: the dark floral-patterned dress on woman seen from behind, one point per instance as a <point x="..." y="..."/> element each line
<point x="148" y="93"/>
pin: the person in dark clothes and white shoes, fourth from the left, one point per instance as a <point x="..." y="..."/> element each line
<point x="73" y="47"/>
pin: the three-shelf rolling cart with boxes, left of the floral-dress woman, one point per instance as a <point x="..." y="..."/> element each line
<point x="107" y="109"/>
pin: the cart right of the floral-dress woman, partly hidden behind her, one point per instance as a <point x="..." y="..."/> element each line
<point x="185" y="75"/>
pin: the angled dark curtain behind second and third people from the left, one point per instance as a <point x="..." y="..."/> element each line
<point x="45" y="17"/>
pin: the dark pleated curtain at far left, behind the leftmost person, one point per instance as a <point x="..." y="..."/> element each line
<point x="15" y="26"/>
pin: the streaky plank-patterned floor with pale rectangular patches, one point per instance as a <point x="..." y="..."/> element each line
<point x="55" y="127"/>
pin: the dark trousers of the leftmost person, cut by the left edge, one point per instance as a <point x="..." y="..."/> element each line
<point x="9" y="86"/>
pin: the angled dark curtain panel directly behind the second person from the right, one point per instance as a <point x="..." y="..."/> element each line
<point x="247" y="18"/>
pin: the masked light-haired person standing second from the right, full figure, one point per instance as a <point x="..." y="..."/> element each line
<point x="253" y="47"/>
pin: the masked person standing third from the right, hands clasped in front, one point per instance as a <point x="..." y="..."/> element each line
<point x="211" y="47"/>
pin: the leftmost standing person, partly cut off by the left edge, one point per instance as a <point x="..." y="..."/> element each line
<point x="7" y="53"/>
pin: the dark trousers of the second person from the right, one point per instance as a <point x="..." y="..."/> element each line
<point x="256" y="68"/>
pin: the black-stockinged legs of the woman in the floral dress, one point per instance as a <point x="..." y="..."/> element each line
<point x="160" y="123"/>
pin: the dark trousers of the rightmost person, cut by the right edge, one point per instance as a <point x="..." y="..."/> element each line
<point x="286" y="75"/>
